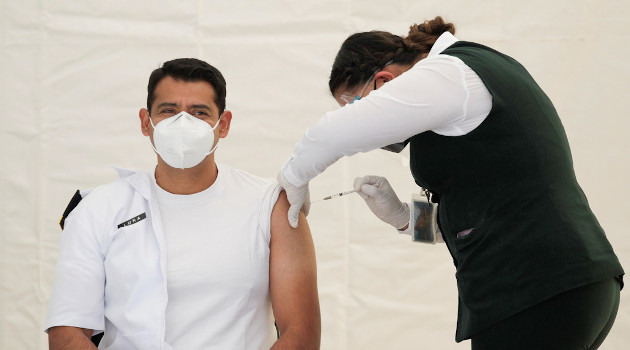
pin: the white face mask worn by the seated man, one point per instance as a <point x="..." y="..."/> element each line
<point x="182" y="140"/>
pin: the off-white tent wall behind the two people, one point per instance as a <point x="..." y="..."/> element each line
<point x="73" y="75"/>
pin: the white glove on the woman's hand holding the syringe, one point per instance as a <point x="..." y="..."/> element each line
<point x="382" y="200"/>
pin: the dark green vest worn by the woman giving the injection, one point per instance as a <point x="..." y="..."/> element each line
<point x="511" y="181"/>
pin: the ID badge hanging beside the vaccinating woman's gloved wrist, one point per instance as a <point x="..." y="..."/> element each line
<point x="425" y="217"/>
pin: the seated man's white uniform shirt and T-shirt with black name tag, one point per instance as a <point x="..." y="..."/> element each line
<point x="195" y="277"/>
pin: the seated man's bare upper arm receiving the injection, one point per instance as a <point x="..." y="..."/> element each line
<point x="293" y="279"/>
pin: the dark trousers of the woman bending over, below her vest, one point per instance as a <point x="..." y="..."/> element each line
<point x="575" y="320"/>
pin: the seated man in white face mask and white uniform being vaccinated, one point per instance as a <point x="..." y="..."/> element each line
<point x="195" y="255"/>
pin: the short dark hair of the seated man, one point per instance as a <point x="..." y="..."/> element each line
<point x="189" y="70"/>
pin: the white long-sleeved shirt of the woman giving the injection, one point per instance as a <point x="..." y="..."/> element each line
<point x="439" y="93"/>
